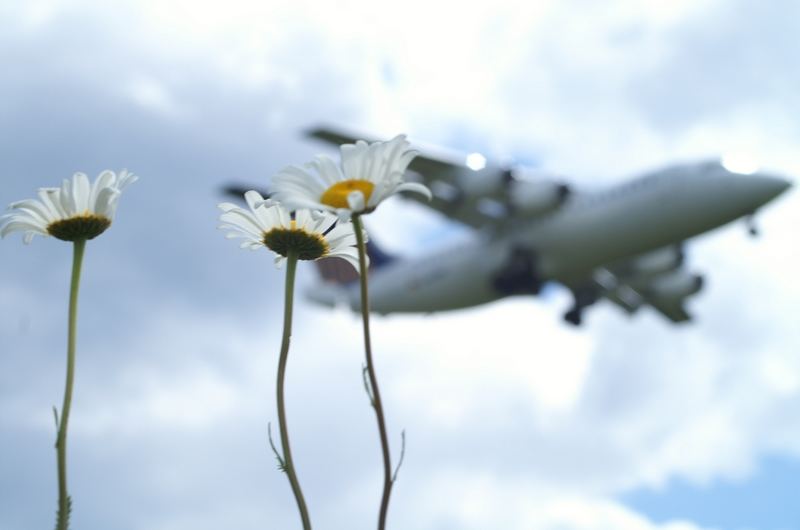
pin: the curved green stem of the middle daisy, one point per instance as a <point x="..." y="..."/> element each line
<point x="288" y="464"/>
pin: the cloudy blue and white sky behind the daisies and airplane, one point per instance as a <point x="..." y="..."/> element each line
<point x="513" y="420"/>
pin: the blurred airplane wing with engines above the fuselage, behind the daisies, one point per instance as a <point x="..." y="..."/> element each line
<point x="467" y="188"/>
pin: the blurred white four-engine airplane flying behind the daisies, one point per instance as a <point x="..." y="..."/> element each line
<point x="624" y="243"/>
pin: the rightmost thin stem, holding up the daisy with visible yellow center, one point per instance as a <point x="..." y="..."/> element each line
<point x="375" y="394"/>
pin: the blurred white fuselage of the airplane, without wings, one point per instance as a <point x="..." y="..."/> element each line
<point x="589" y="230"/>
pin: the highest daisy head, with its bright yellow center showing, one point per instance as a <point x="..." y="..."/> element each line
<point x="369" y="174"/>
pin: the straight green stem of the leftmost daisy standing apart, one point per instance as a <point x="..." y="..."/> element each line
<point x="64" y="501"/>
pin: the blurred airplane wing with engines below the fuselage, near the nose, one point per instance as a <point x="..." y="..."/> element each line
<point x="657" y="279"/>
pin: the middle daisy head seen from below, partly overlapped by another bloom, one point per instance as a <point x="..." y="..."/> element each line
<point x="268" y="224"/>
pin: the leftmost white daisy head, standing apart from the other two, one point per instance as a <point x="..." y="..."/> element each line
<point x="75" y="211"/>
